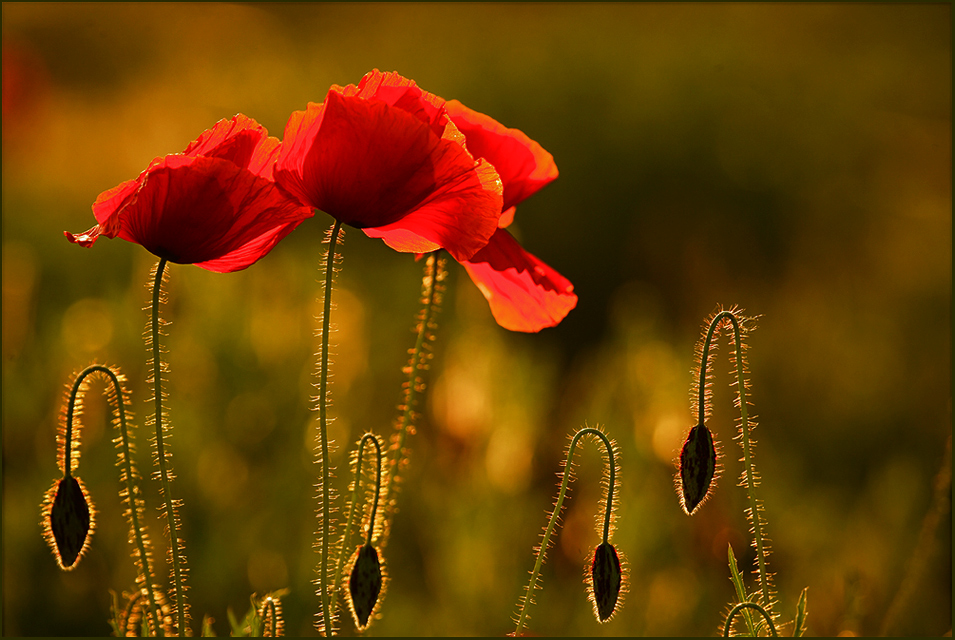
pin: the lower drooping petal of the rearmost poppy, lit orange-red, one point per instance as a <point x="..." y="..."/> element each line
<point x="524" y="293"/>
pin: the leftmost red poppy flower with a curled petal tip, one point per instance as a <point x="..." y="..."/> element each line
<point x="214" y="205"/>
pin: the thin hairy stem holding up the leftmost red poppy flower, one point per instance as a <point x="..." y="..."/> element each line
<point x="162" y="455"/>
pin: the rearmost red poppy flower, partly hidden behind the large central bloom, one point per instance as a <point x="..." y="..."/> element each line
<point x="523" y="292"/>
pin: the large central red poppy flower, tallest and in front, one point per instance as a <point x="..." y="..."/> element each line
<point x="385" y="157"/>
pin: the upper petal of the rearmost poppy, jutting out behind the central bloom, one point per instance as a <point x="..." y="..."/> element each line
<point x="524" y="166"/>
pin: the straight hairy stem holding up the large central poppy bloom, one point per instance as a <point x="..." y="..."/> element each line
<point x="324" y="494"/>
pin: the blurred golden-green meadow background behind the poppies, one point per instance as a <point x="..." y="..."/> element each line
<point x="794" y="160"/>
